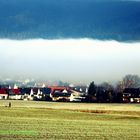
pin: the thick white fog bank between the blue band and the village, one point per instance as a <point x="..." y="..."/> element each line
<point x="75" y="60"/>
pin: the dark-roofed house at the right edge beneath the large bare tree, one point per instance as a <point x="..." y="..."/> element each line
<point x="131" y="95"/>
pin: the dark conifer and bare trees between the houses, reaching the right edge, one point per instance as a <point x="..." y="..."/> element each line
<point x="106" y="92"/>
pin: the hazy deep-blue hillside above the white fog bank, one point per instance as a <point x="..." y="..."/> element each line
<point x="53" y="19"/>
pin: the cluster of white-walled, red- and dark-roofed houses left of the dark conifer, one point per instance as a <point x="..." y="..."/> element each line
<point x="43" y="93"/>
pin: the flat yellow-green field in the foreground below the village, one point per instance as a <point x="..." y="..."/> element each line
<point x="30" y="120"/>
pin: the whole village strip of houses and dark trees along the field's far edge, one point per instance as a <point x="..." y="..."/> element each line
<point x="91" y="93"/>
